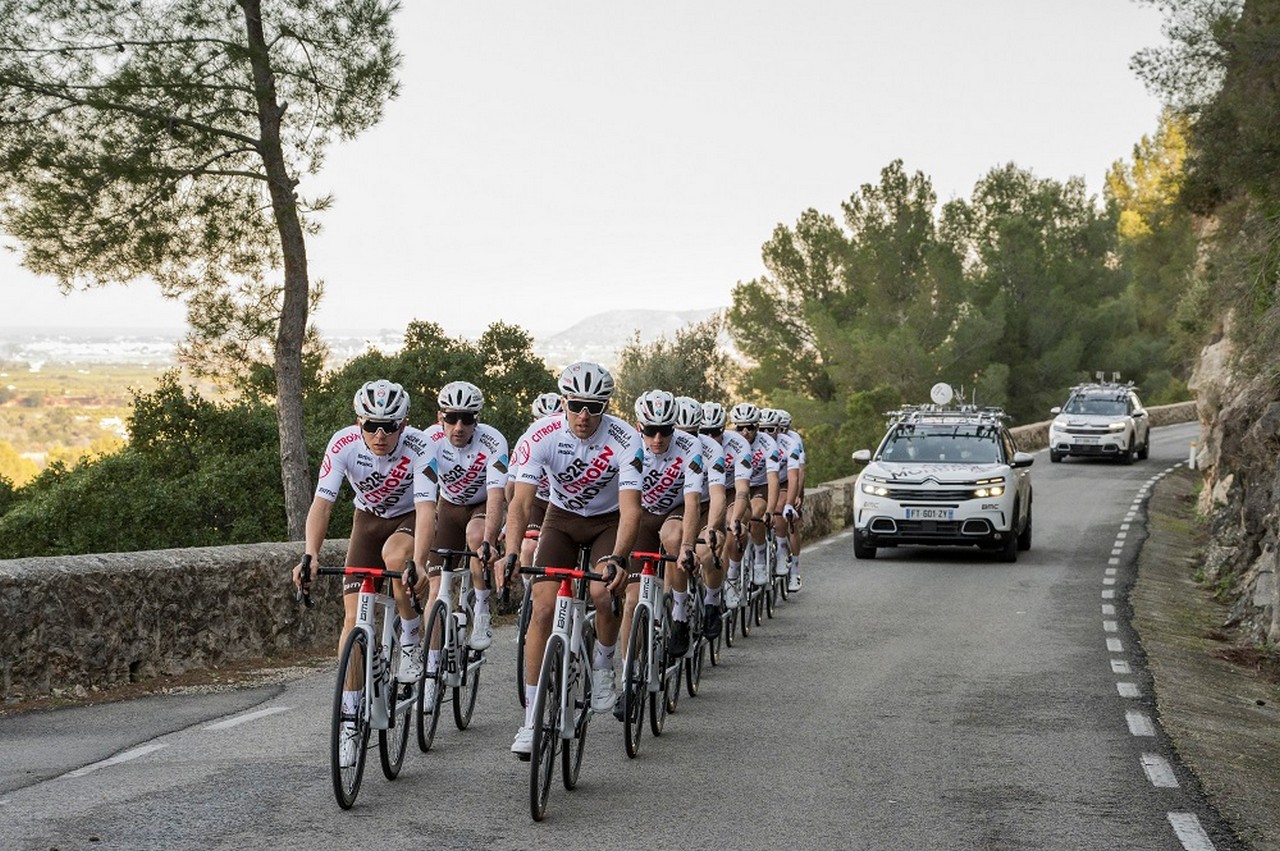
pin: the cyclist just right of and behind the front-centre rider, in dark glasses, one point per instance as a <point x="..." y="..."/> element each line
<point x="671" y="496"/>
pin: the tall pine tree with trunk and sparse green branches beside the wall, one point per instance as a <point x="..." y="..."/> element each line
<point x="170" y="140"/>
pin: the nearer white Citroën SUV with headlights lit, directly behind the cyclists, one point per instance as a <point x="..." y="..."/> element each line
<point x="944" y="477"/>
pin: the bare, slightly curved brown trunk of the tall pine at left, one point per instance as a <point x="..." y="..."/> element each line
<point x="295" y="475"/>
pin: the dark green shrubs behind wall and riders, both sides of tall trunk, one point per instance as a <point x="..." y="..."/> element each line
<point x="203" y="473"/>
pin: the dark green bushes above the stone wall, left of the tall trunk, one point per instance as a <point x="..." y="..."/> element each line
<point x="196" y="474"/>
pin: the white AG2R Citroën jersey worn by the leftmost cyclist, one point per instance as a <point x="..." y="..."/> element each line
<point x="386" y="486"/>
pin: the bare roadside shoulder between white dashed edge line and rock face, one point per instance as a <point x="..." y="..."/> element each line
<point x="1218" y="698"/>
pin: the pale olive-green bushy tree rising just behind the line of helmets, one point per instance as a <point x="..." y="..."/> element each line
<point x="694" y="364"/>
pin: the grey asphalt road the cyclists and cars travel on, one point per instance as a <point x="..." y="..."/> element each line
<point x="927" y="699"/>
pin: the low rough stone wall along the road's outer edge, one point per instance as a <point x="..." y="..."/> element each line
<point x="72" y="624"/>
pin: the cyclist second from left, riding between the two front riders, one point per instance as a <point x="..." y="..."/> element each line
<point x="472" y="459"/>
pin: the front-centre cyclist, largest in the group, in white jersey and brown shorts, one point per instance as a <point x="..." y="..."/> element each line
<point x="593" y="461"/>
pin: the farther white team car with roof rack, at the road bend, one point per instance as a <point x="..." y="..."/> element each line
<point x="1104" y="419"/>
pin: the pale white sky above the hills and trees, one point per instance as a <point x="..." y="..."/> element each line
<point x="551" y="161"/>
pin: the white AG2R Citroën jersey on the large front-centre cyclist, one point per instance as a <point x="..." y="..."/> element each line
<point x="586" y="477"/>
